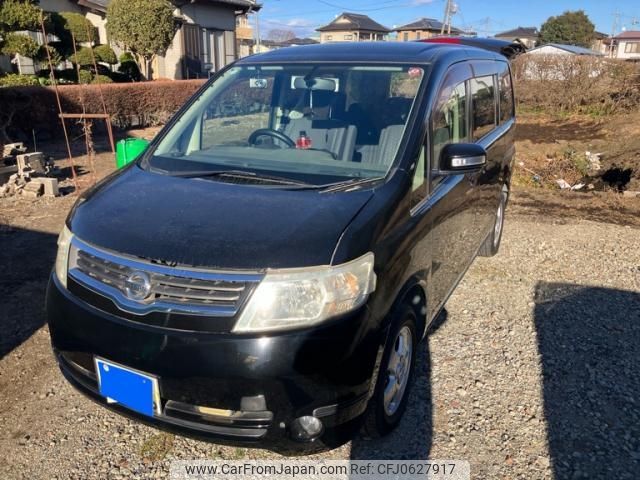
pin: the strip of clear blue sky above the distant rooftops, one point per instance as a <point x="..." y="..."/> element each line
<point x="486" y="17"/>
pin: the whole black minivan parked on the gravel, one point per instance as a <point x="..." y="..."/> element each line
<point x="265" y="271"/>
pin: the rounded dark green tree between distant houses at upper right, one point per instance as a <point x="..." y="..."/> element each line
<point x="572" y="28"/>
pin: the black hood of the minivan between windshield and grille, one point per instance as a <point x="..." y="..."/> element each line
<point x="206" y="223"/>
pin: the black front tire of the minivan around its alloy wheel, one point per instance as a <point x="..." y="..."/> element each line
<point x="383" y="416"/>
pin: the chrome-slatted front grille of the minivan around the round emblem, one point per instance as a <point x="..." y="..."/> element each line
<point x="171" y="289"/>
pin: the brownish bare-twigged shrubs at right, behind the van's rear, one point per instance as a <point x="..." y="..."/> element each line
<point x="576" y="84"/>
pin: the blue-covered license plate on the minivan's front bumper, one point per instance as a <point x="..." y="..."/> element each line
<point x="132" y="389"/>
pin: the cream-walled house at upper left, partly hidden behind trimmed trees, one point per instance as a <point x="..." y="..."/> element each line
<point x="205" y="40"/>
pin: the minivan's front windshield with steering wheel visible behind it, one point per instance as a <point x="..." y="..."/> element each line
<point x="312" y="123"/>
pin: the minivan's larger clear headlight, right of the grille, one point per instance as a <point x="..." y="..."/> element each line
<point x="287" y="299"/>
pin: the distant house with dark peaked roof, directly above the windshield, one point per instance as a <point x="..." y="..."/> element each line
<point x="353" y="27"/>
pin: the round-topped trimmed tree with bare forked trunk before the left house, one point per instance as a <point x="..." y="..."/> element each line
<point x="144" y="27"/>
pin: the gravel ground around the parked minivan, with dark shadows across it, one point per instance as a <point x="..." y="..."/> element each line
<point x="534" y="373"/>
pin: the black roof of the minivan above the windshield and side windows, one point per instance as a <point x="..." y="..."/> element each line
<point x="391" y="52"/>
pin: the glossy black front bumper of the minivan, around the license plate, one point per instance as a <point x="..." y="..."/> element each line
<point x="265" y="381"/>
